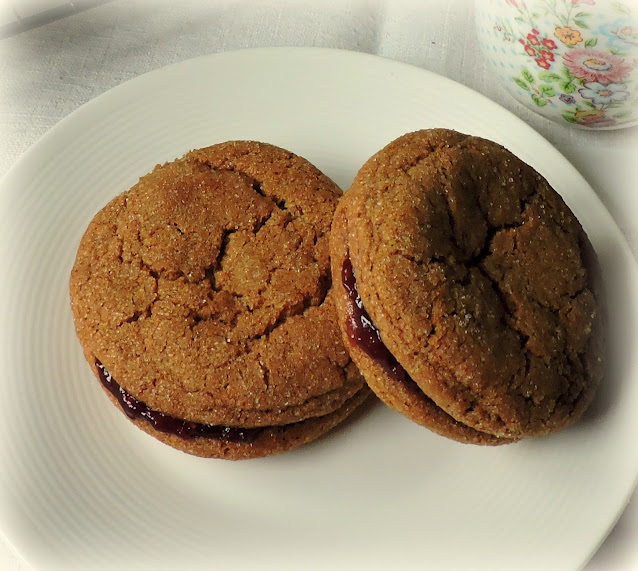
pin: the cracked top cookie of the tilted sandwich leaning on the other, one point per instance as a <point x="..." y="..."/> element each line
<point x="481" y="281"/>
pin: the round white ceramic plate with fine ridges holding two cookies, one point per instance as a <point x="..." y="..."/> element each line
<point x="83" y="488"/>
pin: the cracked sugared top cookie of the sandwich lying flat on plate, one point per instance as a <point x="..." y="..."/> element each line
<point x="205" y="289"/>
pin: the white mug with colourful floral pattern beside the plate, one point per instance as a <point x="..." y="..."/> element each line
<point x="573" y="61"/>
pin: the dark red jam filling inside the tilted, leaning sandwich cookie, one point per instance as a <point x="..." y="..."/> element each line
<point x="362" y="332"/>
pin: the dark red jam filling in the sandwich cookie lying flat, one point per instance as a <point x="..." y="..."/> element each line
<point x="164" y="423"/>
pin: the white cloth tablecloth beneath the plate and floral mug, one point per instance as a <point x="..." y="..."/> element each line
<point x="52" y="67"/>
